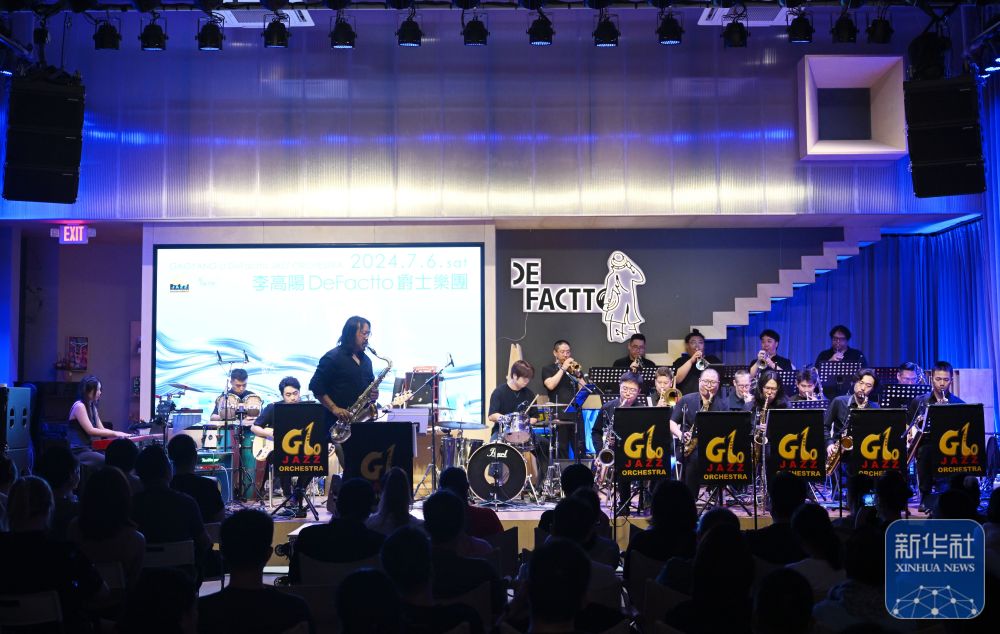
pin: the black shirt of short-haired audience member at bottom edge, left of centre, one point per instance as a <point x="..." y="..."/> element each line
<point x="251" y="611"/>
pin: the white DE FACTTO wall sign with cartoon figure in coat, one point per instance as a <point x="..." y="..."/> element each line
<point x="616" y="299"/>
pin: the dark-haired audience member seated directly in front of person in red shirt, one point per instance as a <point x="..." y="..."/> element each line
<point x="455" y="575"/>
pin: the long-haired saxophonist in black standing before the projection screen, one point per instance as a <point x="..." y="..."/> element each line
<point x="344" y="372"/>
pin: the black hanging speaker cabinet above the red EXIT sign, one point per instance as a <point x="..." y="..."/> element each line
<point x="44" y="141"/>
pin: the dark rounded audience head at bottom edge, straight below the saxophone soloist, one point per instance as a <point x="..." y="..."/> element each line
<point x="367" y="603"/>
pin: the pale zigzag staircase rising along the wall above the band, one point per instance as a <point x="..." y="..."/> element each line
<point x="788" y="280"/>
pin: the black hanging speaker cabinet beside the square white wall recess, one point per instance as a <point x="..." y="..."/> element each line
<point x="944" y="137"/>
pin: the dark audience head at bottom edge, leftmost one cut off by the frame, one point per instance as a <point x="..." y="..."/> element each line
<point x="163" y="601"/>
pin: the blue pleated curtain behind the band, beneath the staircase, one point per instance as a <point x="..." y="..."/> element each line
<point x="905" y="298"/>
